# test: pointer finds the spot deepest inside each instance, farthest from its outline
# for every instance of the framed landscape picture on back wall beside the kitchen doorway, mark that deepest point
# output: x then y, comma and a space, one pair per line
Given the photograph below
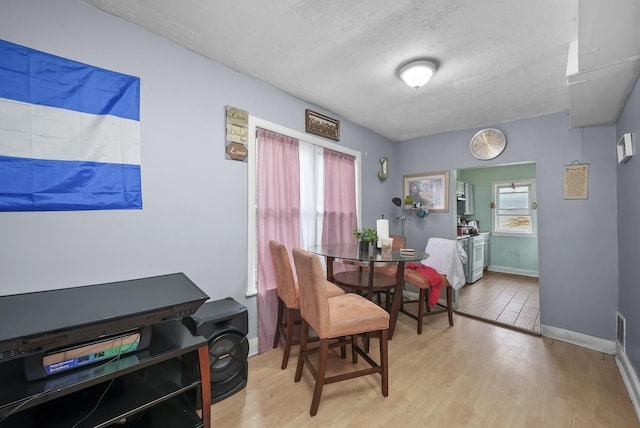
431, 189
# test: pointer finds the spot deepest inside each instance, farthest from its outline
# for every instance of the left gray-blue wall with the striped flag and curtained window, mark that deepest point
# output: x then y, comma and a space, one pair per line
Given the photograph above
195, 201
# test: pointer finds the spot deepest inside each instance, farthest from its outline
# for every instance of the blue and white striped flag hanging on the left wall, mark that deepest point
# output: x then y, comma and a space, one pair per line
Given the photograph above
69, 134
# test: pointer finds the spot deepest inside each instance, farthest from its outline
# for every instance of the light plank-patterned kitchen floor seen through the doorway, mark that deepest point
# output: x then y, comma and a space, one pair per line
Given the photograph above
511, 300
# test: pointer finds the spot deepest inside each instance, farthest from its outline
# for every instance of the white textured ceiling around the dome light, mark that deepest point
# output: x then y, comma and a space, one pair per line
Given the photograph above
498, 60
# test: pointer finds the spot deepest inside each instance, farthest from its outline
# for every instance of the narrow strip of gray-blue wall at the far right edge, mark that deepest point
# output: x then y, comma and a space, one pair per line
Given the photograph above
628, 210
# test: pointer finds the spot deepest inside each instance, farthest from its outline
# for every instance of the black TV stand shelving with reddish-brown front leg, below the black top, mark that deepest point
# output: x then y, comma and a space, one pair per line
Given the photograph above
167, 384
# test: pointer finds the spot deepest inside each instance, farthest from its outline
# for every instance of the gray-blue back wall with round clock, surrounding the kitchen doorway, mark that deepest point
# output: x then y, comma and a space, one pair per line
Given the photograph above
577, 241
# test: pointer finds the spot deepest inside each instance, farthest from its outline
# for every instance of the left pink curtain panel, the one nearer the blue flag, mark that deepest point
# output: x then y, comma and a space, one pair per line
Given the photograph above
277, 217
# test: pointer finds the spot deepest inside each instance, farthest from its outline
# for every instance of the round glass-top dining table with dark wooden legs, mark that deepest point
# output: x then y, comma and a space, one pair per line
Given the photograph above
369, 280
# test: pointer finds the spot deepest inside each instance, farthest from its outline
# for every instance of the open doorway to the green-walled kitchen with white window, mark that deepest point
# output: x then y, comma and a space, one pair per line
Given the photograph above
507, 293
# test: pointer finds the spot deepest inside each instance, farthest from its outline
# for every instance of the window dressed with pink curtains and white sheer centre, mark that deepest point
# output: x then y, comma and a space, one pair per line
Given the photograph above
322, 174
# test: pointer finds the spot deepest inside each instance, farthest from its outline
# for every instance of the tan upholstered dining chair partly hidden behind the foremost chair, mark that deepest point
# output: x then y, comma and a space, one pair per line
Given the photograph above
288, 297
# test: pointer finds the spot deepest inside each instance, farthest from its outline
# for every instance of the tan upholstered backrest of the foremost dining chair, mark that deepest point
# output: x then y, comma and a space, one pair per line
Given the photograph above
314, 303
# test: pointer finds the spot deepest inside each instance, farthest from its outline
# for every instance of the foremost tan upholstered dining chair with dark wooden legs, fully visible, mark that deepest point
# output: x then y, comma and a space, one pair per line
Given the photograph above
346, 315
